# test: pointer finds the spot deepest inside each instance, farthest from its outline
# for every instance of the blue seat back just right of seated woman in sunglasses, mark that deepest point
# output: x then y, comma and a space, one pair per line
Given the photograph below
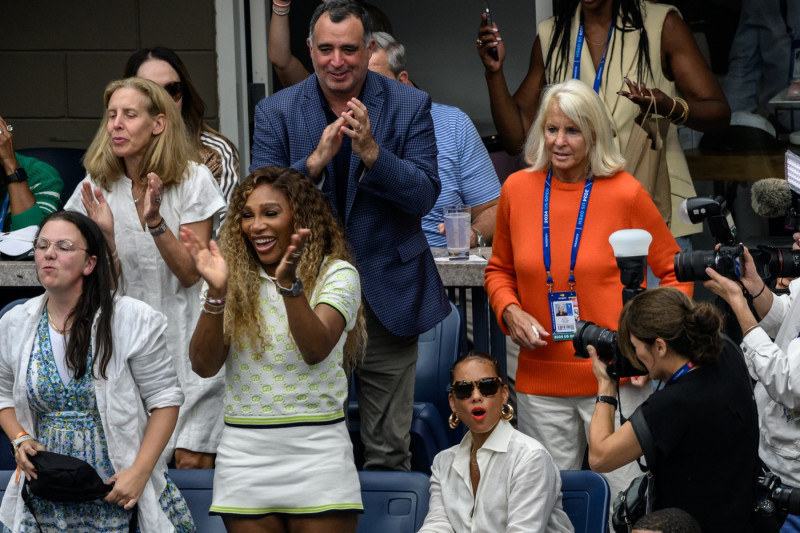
586, 498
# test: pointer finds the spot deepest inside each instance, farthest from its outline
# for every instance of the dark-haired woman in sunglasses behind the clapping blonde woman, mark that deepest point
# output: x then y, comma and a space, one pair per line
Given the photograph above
163, 66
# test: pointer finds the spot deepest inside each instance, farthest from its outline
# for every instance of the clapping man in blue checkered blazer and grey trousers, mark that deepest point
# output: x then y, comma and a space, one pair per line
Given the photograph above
369, 143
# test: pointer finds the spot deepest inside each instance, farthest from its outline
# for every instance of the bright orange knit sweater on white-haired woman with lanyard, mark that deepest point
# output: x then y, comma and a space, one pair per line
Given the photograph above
516, 274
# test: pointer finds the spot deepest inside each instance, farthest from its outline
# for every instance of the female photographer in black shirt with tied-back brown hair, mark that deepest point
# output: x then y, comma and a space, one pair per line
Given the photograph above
699, 433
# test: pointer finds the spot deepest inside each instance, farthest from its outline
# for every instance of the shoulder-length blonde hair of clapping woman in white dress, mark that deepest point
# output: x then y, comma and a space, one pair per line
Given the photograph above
168, 153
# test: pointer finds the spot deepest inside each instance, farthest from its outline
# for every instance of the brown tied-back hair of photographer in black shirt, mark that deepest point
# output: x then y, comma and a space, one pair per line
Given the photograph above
691, 329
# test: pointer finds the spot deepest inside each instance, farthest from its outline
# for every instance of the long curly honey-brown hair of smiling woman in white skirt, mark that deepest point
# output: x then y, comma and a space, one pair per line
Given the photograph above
310, 209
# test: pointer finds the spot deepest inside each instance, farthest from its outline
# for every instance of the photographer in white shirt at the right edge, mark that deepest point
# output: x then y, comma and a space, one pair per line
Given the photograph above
774, 364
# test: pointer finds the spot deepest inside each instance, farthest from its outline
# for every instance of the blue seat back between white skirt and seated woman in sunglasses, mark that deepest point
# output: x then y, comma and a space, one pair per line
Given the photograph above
394, 501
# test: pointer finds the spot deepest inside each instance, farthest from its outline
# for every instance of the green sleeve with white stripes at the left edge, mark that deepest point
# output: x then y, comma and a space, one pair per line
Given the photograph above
45, 184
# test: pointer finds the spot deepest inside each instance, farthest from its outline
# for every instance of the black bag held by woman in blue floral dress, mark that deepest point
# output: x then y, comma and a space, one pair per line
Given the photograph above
65, 479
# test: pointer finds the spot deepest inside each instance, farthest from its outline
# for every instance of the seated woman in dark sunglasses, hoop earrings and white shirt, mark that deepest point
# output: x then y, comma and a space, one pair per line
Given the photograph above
497, 479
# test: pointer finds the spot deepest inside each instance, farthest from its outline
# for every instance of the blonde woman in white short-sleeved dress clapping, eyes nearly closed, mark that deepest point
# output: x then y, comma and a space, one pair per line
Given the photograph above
144, 184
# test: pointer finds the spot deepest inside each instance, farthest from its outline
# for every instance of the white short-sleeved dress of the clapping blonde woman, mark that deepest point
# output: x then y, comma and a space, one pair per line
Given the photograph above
146, 277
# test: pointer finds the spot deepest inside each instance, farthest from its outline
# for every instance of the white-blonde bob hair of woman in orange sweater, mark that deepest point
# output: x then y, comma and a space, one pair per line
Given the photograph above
583, 107
